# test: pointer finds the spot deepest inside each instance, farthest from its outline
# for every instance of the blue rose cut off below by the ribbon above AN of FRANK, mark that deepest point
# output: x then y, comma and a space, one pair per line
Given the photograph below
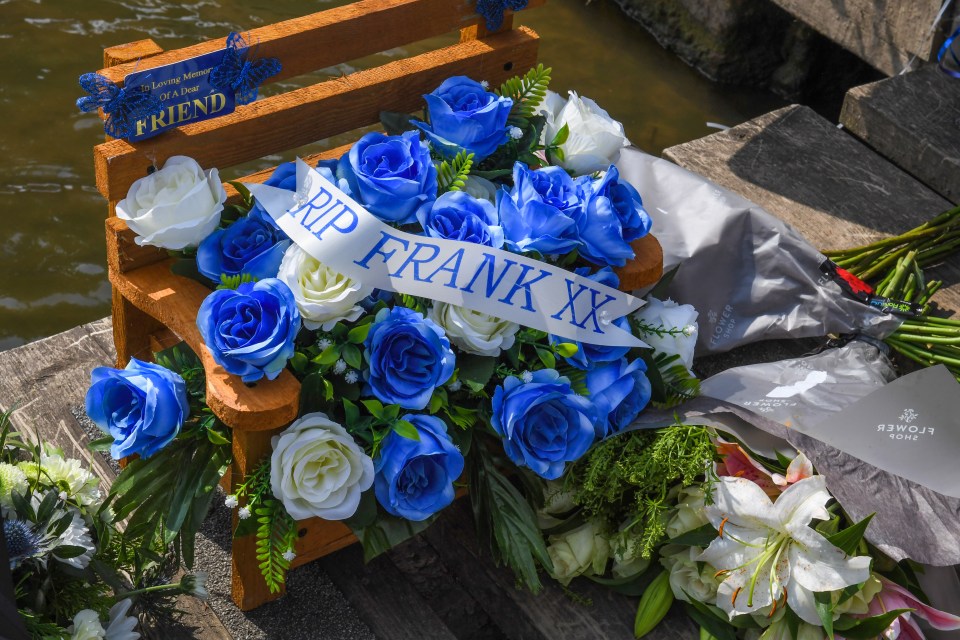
457, 215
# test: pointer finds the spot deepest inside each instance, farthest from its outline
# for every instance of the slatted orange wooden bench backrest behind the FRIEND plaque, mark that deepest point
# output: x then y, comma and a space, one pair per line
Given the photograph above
302, 116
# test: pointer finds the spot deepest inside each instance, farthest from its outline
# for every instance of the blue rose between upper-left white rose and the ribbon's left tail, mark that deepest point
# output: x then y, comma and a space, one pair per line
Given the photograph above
253, 245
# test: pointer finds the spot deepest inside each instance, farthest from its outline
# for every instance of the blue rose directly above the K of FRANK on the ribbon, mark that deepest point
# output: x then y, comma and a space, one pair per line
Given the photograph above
540, 212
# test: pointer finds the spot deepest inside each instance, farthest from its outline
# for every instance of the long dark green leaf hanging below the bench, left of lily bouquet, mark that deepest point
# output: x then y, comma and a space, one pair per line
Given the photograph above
506, 521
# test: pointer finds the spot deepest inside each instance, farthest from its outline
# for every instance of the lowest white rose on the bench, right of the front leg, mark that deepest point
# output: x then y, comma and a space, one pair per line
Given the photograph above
317, 469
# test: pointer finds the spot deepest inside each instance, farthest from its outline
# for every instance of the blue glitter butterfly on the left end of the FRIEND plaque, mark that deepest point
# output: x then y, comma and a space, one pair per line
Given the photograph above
123, 106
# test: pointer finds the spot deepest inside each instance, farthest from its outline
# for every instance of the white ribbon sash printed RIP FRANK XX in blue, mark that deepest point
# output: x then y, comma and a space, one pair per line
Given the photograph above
336, 230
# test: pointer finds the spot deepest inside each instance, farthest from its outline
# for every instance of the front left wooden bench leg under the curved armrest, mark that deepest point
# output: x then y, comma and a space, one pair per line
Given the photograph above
249, 588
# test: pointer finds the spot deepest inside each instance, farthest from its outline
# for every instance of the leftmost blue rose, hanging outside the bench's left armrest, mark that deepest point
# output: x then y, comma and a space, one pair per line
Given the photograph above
142, 406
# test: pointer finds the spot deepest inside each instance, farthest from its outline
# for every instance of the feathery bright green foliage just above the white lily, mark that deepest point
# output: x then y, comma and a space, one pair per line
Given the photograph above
629, 477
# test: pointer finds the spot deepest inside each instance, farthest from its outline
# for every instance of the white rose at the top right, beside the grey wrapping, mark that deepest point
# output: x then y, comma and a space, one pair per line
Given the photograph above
595, 139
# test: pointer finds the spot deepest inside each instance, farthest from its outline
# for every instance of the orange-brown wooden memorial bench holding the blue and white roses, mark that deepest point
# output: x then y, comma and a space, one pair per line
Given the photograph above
152, 307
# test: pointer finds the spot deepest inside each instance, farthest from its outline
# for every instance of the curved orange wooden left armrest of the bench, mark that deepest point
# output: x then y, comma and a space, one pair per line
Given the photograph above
174, 301
